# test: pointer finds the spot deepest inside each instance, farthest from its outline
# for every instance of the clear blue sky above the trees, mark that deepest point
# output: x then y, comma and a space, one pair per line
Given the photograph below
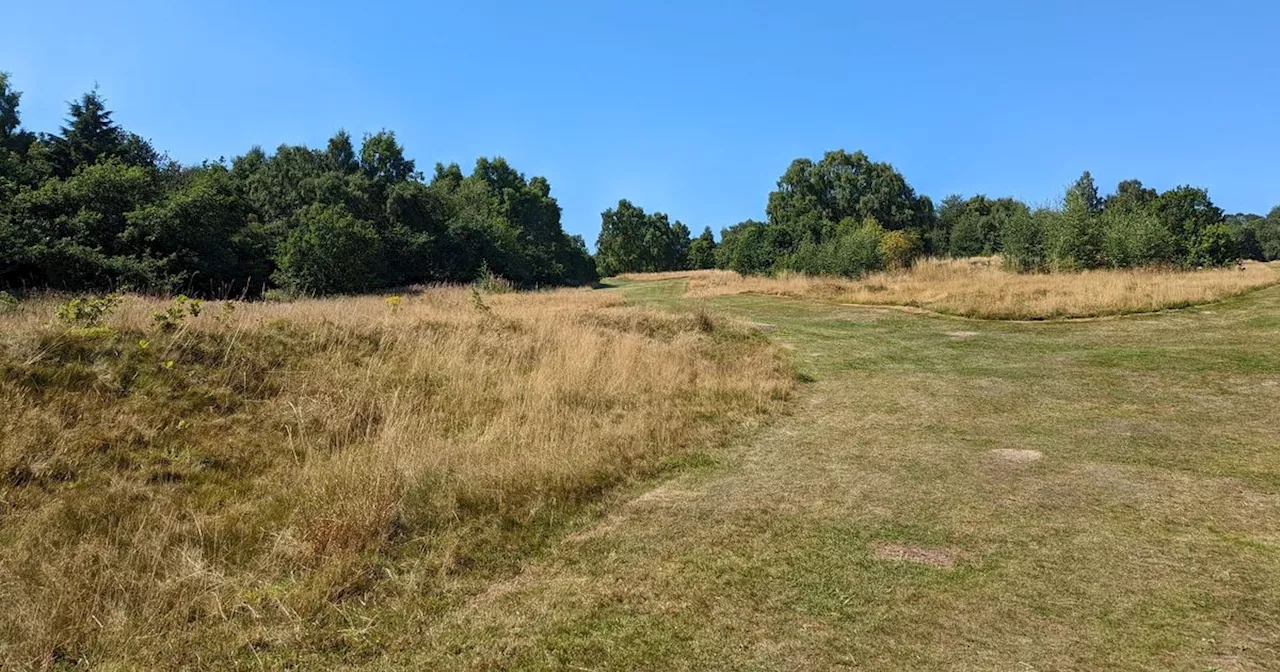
694, 108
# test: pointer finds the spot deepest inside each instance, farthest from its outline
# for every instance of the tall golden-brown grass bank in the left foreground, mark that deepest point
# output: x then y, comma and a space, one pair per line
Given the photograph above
252, 479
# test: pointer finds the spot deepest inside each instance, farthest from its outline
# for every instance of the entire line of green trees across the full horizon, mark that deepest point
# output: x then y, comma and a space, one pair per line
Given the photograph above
97, 208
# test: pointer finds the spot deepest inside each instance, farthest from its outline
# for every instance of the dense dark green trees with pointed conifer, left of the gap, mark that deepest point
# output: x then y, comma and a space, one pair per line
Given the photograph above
97, 208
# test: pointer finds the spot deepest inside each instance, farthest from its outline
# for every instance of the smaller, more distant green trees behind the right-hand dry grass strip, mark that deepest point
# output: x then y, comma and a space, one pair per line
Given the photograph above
848, 216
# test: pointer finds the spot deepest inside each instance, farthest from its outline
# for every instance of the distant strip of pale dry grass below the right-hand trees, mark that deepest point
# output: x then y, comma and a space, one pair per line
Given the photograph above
980, 289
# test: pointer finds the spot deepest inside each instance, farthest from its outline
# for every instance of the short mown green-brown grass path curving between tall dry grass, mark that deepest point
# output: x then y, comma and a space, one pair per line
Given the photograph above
945, 495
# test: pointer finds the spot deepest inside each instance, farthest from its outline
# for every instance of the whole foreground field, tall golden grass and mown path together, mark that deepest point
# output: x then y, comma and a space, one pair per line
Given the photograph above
941, 493
